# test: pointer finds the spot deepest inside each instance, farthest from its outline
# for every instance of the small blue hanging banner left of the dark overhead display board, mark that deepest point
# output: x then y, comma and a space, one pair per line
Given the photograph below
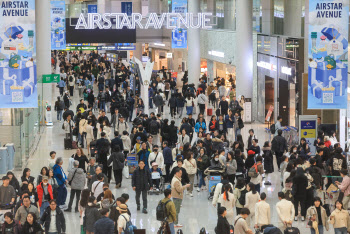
58, 25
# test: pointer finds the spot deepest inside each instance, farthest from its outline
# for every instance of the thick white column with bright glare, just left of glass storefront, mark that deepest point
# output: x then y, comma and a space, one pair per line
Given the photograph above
244, 48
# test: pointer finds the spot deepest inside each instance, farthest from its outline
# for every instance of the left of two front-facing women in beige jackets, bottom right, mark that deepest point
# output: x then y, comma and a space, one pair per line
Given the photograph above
313, 214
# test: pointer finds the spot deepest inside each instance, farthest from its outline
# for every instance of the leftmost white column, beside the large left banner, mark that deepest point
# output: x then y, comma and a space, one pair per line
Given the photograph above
43, 48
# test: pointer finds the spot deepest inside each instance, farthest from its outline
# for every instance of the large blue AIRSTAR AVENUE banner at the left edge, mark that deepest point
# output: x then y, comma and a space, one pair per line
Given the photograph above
18, 55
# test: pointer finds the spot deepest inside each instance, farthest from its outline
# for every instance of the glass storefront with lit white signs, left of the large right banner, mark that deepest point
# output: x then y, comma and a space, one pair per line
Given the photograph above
279, 70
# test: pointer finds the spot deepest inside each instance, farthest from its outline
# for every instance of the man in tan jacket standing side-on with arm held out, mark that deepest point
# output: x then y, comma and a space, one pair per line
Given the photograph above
177, 193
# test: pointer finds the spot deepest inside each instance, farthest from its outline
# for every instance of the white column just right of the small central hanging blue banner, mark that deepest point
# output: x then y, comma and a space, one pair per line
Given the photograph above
194, 47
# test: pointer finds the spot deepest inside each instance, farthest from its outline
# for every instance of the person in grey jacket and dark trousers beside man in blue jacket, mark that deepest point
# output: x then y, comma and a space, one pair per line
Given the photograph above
76, 179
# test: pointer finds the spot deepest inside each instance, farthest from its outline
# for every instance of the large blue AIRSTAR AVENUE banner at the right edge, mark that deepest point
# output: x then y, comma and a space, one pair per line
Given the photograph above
328, 54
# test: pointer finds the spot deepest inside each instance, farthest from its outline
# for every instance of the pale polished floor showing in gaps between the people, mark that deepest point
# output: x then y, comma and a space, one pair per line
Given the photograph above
196, 212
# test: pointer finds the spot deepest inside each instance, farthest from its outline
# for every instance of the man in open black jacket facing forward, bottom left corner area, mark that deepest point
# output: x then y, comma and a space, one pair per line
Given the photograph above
60, 220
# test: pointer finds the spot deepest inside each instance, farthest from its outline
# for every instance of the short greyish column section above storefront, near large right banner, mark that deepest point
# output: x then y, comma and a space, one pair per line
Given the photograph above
292, 18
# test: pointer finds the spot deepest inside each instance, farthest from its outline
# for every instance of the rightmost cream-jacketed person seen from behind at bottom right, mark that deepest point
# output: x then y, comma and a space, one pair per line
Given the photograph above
285, 211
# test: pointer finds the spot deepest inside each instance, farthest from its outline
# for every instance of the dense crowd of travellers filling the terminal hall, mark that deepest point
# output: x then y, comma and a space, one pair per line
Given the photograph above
173, 159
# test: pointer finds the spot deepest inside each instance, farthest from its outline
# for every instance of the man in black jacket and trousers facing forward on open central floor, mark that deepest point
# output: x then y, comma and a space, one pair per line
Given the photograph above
141, 183
